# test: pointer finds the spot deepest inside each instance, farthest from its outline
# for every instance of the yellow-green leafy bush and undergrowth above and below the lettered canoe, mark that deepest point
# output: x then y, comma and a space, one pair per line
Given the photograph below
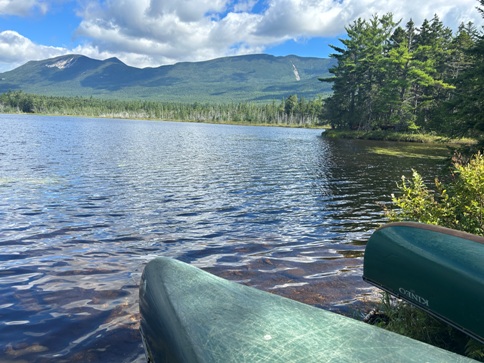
457, 204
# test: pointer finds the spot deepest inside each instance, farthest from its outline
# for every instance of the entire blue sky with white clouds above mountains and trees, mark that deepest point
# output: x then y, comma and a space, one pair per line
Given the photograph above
149, 33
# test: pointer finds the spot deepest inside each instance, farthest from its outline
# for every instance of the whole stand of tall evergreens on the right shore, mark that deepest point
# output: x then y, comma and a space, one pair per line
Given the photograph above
404, 78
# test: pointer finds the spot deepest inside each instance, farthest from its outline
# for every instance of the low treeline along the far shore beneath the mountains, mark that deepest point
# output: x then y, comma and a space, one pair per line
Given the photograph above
291, 111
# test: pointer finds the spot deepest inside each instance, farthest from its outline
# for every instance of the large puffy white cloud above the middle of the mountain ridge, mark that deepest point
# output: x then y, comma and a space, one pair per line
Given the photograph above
169, 31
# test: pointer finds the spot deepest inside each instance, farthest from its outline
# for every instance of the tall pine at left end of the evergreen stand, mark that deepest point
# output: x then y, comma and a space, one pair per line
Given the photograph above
359, 101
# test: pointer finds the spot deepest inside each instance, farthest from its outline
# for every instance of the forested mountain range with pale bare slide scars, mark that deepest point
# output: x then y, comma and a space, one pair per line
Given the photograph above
257, 78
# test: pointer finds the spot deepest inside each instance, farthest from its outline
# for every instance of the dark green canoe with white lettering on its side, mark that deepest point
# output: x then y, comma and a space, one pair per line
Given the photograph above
437, 269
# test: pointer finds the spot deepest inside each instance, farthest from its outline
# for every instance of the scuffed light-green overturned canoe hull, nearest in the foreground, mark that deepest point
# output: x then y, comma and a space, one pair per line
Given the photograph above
188, 315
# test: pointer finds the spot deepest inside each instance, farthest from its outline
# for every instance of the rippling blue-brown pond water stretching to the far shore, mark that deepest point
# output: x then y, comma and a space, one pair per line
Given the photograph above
86, 203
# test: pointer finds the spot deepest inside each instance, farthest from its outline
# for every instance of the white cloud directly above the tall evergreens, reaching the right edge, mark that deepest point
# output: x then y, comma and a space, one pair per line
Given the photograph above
303, 18
